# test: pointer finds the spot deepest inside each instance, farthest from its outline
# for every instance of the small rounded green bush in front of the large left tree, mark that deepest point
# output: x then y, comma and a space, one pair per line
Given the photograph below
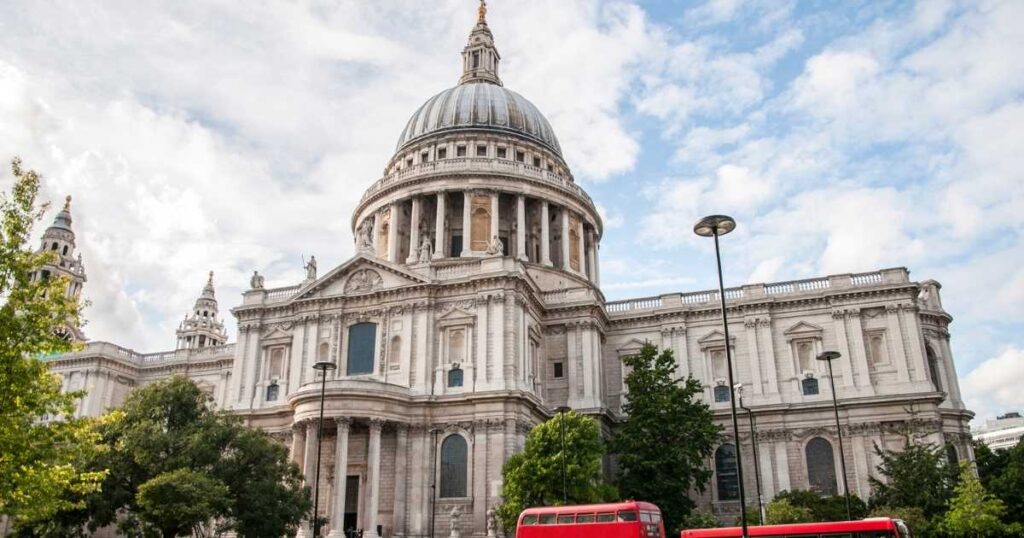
182, 502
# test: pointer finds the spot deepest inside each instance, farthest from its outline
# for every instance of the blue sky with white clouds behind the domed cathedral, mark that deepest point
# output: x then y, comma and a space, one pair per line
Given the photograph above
843, 137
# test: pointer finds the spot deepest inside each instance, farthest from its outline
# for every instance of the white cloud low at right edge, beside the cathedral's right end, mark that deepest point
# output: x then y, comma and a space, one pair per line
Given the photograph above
995, 386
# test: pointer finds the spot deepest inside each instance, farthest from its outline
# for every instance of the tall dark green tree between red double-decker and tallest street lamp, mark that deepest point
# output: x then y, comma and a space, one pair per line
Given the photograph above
669, 435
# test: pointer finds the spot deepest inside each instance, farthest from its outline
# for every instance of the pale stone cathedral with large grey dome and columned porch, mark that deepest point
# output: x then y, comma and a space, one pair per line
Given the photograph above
473, 310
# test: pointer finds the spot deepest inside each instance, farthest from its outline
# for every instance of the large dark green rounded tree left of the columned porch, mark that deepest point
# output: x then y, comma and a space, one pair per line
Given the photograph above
166, 440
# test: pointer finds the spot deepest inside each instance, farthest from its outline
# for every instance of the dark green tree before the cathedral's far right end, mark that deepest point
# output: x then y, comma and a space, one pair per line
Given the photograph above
915, 477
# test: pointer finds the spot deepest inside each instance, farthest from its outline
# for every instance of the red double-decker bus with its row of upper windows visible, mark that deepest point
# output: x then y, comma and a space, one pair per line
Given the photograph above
617, 520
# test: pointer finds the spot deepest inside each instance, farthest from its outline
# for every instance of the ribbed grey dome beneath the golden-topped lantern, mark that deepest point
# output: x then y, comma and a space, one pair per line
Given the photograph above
481, 106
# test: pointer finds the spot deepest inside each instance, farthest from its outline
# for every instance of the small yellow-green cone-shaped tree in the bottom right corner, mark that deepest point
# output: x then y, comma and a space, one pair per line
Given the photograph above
973, 512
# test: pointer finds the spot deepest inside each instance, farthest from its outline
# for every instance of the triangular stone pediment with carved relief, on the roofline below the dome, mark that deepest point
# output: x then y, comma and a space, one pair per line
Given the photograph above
360, 276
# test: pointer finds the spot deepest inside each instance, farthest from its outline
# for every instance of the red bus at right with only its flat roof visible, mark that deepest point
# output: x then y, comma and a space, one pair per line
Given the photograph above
871, 528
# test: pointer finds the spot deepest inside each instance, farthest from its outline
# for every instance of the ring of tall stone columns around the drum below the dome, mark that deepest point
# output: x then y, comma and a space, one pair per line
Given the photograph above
537, 231
